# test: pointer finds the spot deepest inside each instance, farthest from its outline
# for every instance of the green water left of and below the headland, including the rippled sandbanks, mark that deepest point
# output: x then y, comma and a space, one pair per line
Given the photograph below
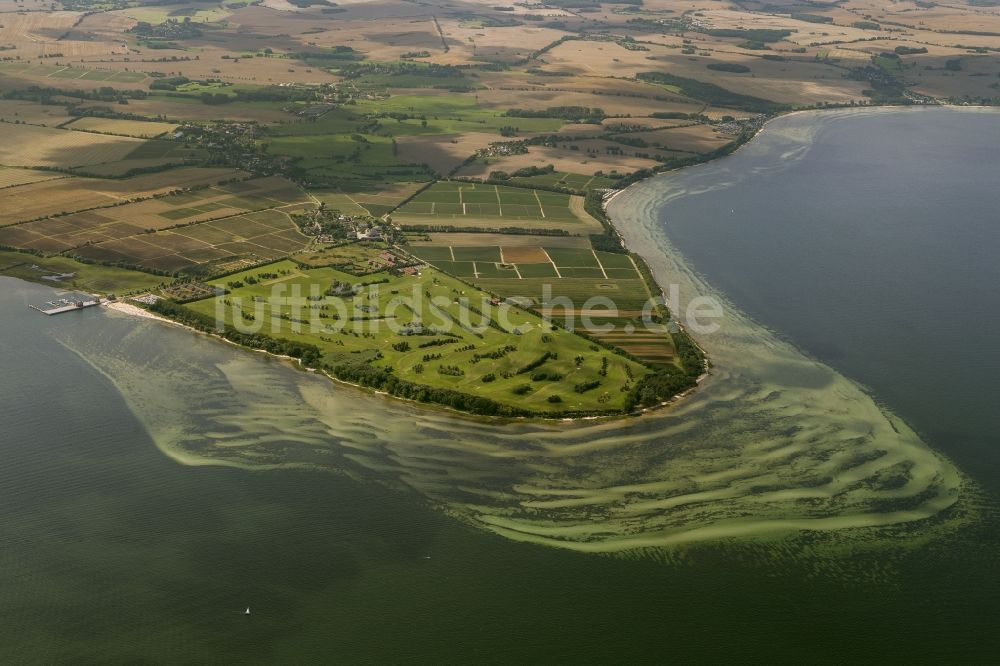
155, 483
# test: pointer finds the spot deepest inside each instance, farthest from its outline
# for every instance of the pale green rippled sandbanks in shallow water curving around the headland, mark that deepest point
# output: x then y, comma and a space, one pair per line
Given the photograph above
776, 444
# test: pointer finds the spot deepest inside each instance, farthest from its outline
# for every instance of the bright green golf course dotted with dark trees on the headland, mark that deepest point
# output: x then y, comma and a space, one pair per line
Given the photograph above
423, 327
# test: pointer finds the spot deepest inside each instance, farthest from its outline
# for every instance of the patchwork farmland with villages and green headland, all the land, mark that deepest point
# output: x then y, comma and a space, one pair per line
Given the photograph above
351, 171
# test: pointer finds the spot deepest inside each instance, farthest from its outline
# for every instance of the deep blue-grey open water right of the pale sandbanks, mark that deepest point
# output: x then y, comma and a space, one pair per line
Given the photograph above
875, 250
